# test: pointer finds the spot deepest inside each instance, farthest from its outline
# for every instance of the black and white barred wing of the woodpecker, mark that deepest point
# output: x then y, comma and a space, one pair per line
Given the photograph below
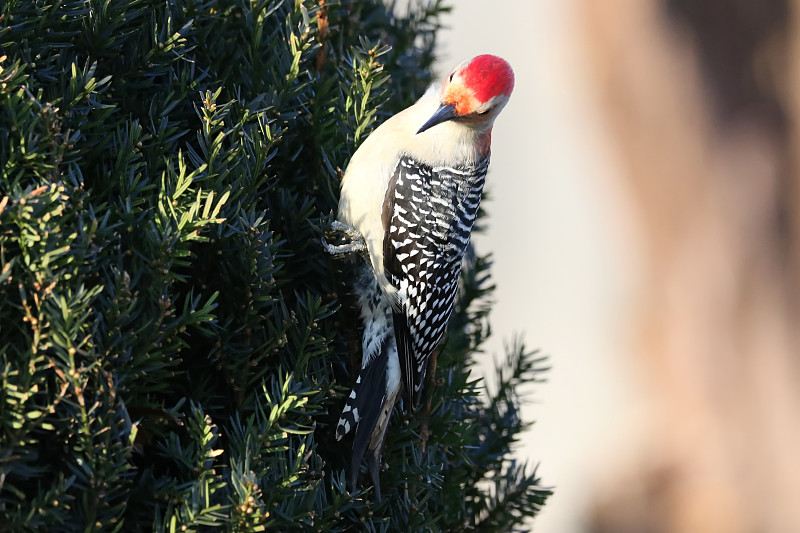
429, 213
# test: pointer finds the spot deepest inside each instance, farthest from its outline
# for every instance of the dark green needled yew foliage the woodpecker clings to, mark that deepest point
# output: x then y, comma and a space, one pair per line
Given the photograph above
175, 345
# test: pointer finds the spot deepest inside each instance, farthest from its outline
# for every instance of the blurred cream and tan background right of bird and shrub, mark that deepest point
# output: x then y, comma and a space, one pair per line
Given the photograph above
645, 230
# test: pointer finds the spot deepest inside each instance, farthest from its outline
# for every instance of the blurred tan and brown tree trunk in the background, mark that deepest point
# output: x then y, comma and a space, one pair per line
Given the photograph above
702, 98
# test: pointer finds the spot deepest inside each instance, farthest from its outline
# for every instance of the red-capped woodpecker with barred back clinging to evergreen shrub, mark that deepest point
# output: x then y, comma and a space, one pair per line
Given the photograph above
409, 199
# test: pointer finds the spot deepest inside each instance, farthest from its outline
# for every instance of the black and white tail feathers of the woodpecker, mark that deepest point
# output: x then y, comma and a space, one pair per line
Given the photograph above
370, 404
